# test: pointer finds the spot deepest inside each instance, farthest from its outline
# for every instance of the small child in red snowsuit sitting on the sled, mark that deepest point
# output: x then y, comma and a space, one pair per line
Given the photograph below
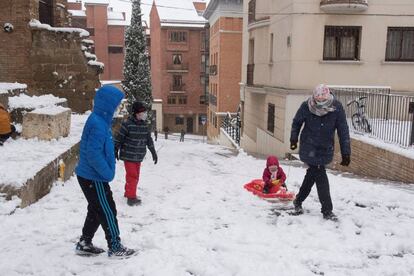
273, 176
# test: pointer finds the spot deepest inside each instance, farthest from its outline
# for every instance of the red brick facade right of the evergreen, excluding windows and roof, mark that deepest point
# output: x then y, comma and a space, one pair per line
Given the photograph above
161, 54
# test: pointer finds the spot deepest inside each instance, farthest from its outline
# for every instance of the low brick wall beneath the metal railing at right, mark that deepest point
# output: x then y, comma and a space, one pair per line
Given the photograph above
372, 161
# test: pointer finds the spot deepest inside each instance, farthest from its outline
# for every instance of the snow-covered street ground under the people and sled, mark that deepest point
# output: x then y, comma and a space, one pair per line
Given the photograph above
196, 219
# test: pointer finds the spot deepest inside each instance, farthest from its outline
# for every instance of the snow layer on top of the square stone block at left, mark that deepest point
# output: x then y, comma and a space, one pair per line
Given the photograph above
25, 101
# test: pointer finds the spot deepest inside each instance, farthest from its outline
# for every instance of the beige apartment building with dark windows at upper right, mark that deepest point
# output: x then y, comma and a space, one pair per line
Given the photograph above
289, 46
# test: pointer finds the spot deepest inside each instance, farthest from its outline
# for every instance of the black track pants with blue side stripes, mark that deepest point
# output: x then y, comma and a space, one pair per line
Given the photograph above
101, 211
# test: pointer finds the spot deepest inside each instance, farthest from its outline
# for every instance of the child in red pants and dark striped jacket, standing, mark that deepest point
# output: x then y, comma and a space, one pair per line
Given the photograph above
131, 146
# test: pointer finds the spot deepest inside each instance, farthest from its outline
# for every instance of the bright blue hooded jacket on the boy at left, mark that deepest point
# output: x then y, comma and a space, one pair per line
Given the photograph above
97, 157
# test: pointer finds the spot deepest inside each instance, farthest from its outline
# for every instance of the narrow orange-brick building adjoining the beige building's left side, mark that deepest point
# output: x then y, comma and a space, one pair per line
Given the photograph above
226, 26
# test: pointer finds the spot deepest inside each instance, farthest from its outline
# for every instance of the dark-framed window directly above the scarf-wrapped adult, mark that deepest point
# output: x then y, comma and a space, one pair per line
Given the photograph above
341, 43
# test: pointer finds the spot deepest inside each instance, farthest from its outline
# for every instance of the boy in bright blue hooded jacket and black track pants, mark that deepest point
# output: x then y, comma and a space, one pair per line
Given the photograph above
96, 168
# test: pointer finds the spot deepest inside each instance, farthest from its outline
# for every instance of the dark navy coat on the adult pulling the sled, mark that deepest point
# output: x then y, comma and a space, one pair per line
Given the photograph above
317, 137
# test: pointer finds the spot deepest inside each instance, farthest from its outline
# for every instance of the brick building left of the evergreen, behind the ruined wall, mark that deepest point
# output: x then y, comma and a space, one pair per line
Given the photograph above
106, 28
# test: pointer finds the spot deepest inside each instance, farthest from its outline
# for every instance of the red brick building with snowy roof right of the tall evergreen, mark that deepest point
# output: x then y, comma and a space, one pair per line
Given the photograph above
179, 59
